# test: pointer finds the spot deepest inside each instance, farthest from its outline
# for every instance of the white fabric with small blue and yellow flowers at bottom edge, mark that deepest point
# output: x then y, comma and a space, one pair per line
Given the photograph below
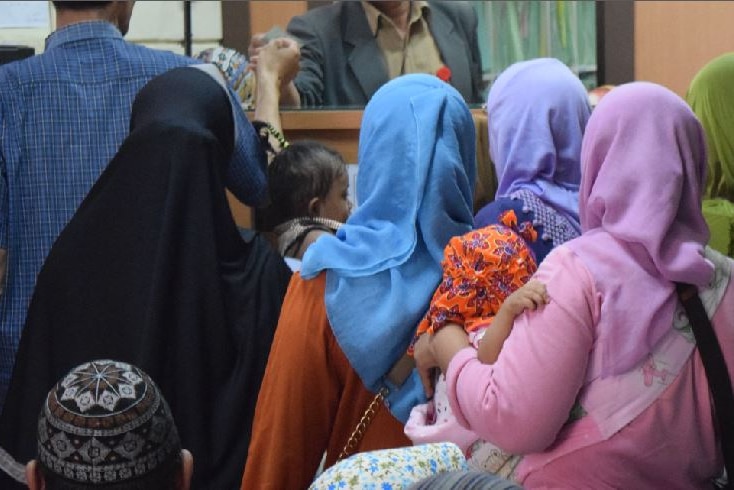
389, 469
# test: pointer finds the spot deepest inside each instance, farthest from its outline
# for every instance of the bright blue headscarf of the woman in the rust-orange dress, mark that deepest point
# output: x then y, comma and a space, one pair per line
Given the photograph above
414, 189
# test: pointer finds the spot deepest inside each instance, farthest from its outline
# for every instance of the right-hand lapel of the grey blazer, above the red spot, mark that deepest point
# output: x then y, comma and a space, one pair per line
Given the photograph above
454, 51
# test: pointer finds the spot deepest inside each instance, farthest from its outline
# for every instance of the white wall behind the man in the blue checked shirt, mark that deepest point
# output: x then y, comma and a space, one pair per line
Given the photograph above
157, 24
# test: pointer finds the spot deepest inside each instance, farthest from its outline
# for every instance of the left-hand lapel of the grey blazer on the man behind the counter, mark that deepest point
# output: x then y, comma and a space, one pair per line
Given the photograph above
364, 58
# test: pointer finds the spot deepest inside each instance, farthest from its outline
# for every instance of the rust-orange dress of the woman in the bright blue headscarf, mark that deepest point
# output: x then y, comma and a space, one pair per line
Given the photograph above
311, 399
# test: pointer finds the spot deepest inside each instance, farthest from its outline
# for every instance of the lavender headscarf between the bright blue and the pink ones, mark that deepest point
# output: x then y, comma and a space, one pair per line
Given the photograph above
537, 114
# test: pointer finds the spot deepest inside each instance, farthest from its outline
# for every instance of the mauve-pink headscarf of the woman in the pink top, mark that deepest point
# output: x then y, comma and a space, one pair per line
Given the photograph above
643, 162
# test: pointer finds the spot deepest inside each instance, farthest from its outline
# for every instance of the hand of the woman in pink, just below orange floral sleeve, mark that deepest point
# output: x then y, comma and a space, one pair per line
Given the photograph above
436, 351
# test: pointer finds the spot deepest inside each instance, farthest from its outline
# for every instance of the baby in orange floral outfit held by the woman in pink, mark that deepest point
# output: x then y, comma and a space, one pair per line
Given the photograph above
486, 284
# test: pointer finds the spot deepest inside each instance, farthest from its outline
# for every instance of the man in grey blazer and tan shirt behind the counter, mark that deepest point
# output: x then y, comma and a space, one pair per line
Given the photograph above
350, 49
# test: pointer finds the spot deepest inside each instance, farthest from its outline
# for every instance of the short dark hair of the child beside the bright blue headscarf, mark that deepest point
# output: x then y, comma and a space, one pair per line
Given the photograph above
302, 171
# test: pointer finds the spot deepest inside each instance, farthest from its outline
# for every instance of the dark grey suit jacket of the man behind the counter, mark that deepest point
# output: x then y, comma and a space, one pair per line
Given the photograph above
342, 65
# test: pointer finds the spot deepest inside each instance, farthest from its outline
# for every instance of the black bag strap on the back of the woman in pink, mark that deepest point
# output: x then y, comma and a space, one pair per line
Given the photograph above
716, 371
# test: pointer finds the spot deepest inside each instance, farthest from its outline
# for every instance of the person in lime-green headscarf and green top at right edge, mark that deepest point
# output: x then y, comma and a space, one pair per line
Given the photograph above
711, 96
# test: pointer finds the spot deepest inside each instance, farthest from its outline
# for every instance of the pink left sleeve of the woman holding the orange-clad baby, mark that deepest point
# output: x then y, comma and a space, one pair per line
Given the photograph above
520, 402
